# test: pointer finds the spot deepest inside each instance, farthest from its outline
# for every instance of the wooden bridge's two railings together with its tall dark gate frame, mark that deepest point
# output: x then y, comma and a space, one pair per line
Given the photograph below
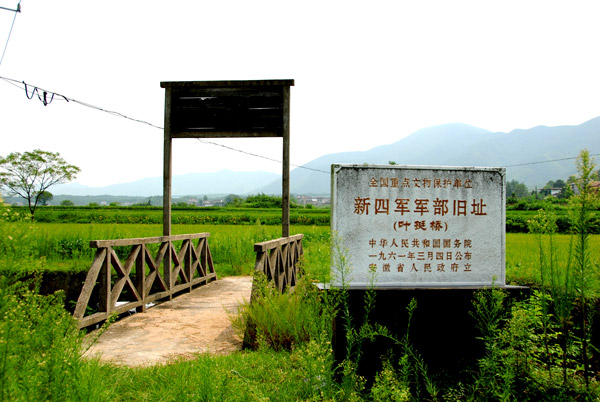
158, 268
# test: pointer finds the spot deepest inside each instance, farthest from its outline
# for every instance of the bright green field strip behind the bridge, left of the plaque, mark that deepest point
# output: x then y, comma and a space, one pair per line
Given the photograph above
26, 246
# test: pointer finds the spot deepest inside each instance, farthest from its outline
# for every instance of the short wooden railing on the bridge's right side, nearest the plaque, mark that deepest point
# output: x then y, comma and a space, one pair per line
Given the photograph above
278, 259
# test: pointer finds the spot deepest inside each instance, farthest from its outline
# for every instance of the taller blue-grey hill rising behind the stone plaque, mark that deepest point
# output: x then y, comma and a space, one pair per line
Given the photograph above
464, 145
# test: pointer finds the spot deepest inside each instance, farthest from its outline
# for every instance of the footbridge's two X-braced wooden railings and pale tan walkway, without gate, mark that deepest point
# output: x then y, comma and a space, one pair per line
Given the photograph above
135, 274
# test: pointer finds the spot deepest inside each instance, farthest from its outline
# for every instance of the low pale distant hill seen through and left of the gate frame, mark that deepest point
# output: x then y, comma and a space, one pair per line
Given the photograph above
222, 182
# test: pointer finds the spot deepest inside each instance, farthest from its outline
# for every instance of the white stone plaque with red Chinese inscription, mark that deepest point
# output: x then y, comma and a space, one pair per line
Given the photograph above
420, 226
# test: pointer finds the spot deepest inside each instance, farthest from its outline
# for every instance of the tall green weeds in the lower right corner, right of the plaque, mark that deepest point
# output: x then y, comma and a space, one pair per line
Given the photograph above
540, 349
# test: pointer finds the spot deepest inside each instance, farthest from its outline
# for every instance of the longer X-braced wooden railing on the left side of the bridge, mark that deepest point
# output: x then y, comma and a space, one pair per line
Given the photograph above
181, 270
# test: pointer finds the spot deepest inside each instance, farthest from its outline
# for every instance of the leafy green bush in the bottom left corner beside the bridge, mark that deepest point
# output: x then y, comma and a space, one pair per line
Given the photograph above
40, 345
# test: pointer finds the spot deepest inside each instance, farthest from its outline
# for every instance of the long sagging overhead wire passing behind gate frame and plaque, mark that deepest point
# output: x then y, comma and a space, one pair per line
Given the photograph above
44, 99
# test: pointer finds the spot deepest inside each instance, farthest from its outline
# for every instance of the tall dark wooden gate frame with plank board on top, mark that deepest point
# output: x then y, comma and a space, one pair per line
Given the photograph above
227, 109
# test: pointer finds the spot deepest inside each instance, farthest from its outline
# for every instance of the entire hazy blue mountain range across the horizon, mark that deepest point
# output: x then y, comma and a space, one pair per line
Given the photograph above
532, 156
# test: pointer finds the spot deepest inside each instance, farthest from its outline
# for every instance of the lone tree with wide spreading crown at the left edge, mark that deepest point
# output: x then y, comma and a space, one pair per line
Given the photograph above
30, 174
